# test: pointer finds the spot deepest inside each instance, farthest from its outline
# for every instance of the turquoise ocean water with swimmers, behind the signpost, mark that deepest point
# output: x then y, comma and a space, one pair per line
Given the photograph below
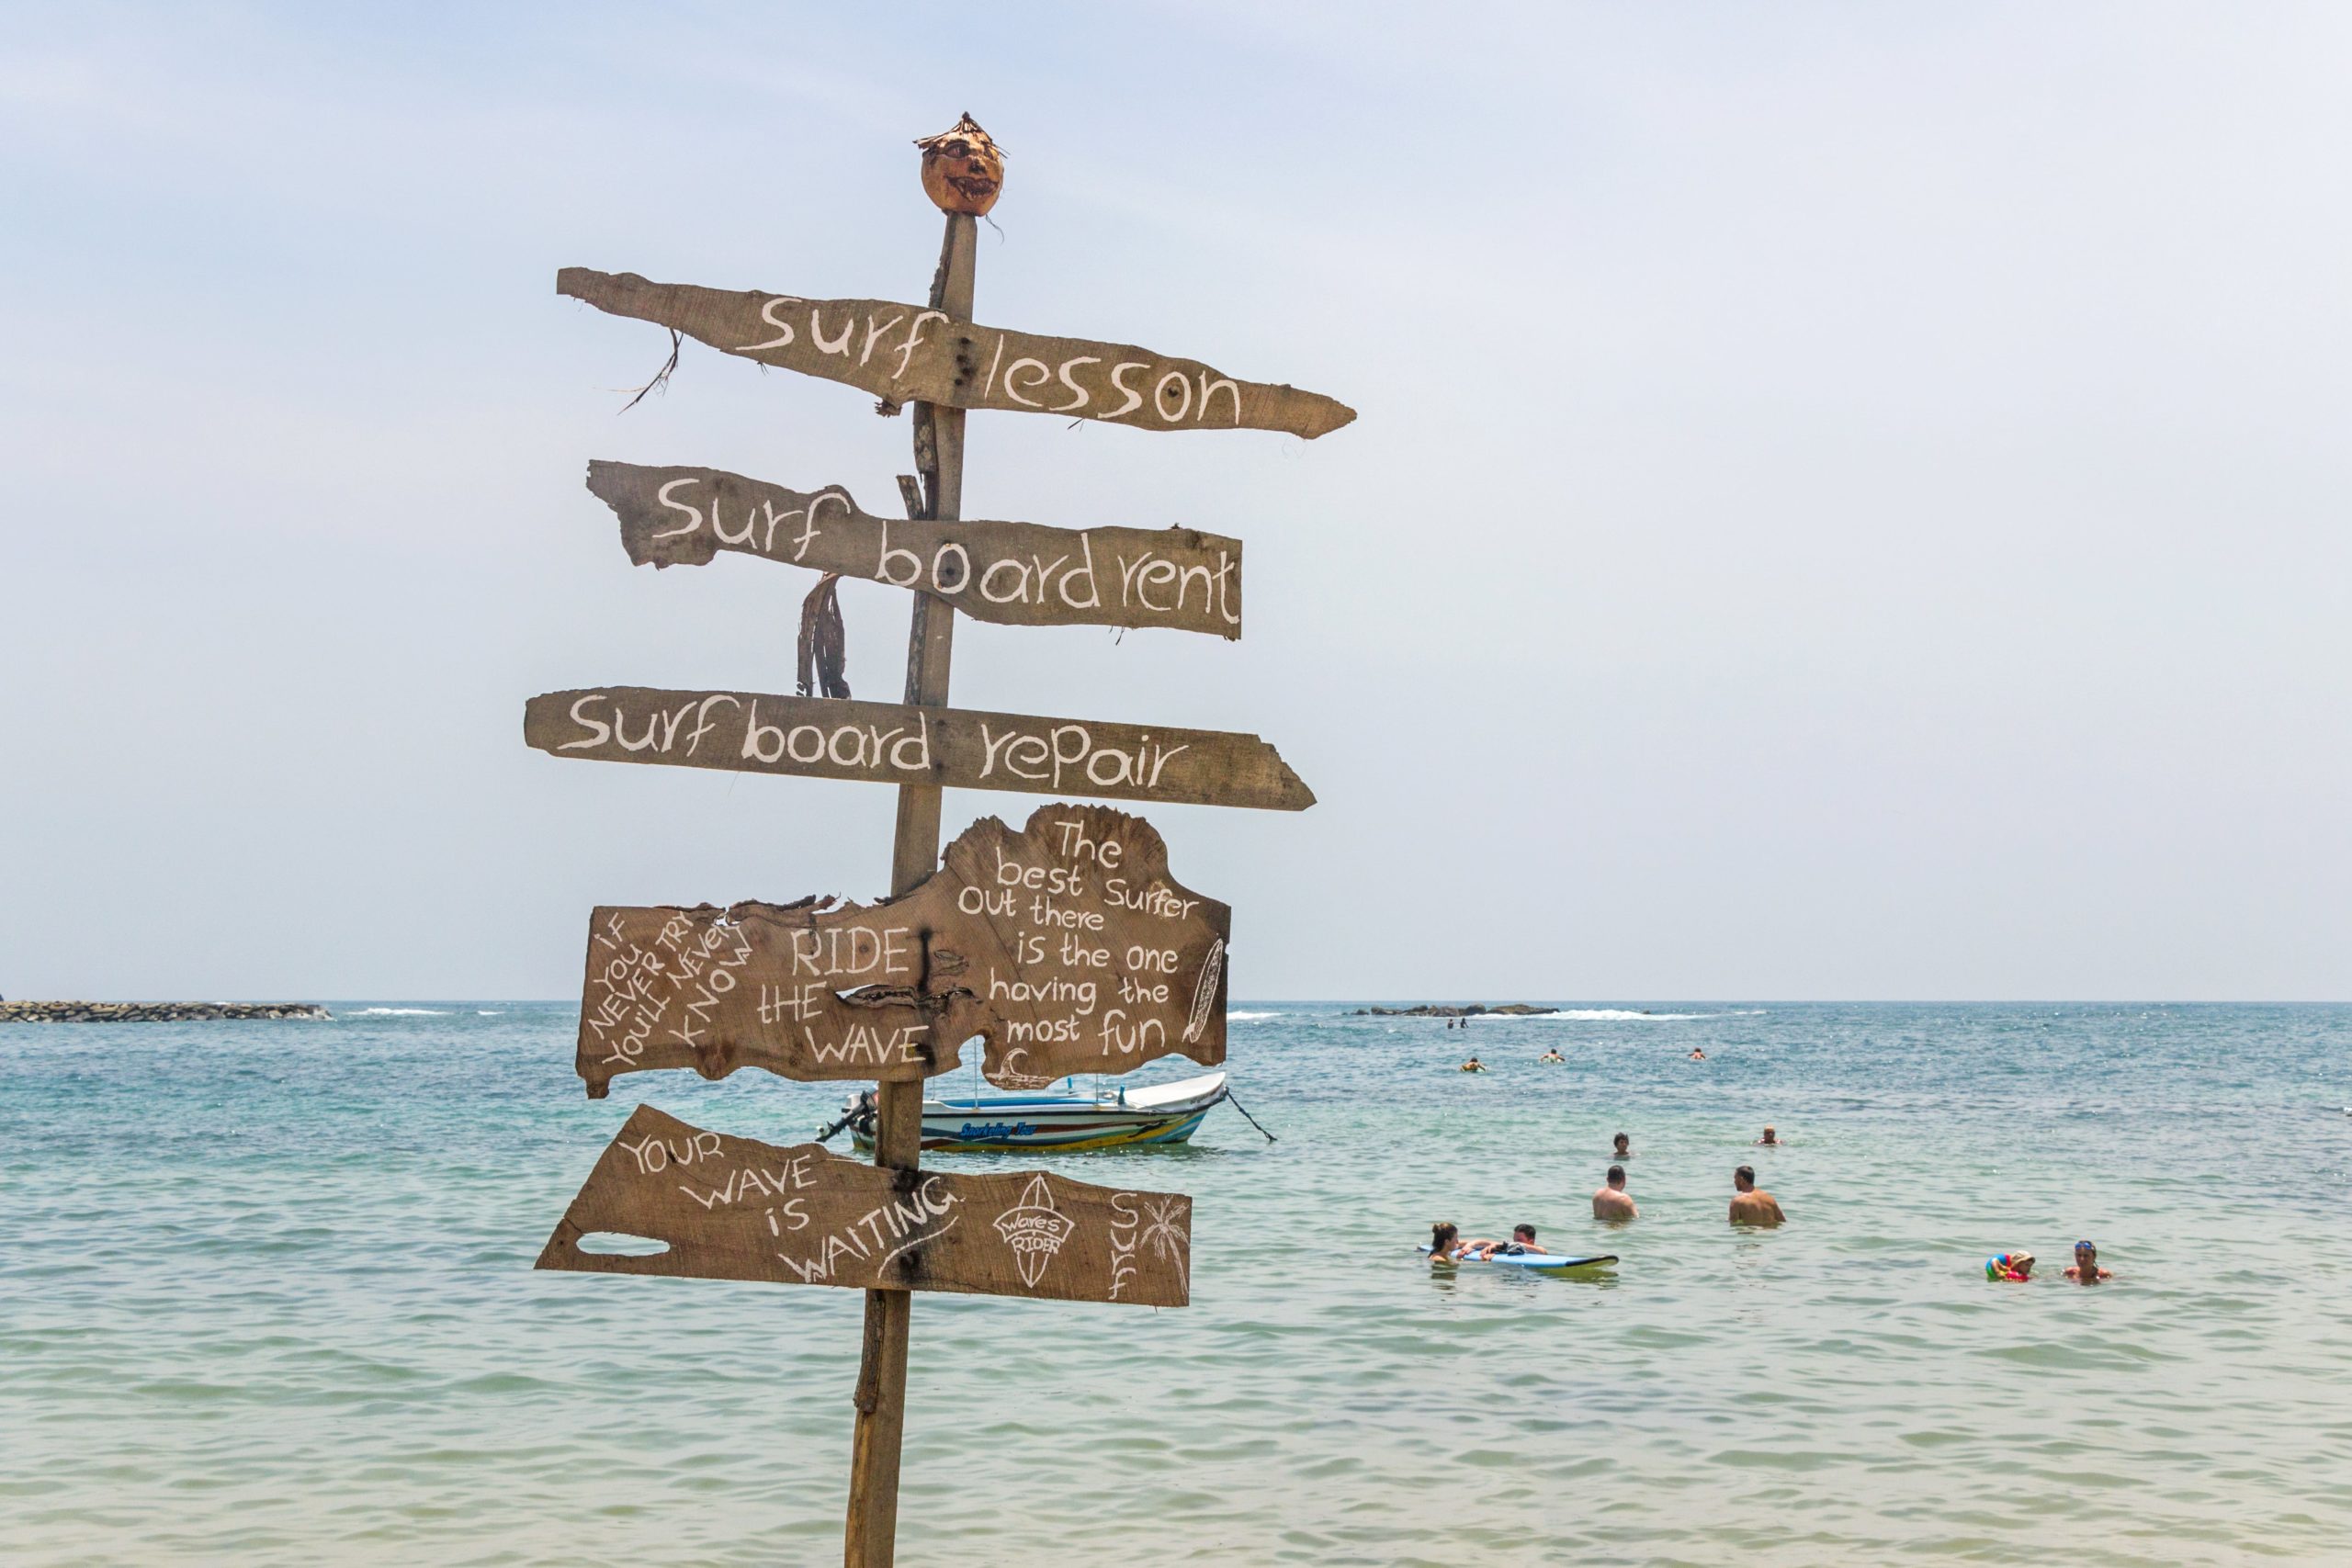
267, 1299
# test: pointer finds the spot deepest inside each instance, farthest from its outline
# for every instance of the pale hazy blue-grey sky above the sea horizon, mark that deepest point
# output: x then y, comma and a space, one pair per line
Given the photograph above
1847, 500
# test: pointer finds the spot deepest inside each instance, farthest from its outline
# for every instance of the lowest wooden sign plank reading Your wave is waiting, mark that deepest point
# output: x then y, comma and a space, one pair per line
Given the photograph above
744, 1209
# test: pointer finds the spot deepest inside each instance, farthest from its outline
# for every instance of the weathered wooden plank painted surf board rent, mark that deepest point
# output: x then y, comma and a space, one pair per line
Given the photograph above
1005, 572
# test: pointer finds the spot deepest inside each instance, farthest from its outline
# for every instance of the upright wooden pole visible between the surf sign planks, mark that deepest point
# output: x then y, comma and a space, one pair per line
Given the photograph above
871, 1539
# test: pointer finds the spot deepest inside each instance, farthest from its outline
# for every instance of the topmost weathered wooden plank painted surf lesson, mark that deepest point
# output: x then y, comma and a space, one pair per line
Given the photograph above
907, 354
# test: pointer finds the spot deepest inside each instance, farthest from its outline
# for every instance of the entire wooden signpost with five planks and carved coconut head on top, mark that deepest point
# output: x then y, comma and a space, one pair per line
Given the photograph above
1062, 946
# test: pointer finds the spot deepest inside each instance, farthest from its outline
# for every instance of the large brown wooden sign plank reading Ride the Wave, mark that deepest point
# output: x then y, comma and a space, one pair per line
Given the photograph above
1064, 946
